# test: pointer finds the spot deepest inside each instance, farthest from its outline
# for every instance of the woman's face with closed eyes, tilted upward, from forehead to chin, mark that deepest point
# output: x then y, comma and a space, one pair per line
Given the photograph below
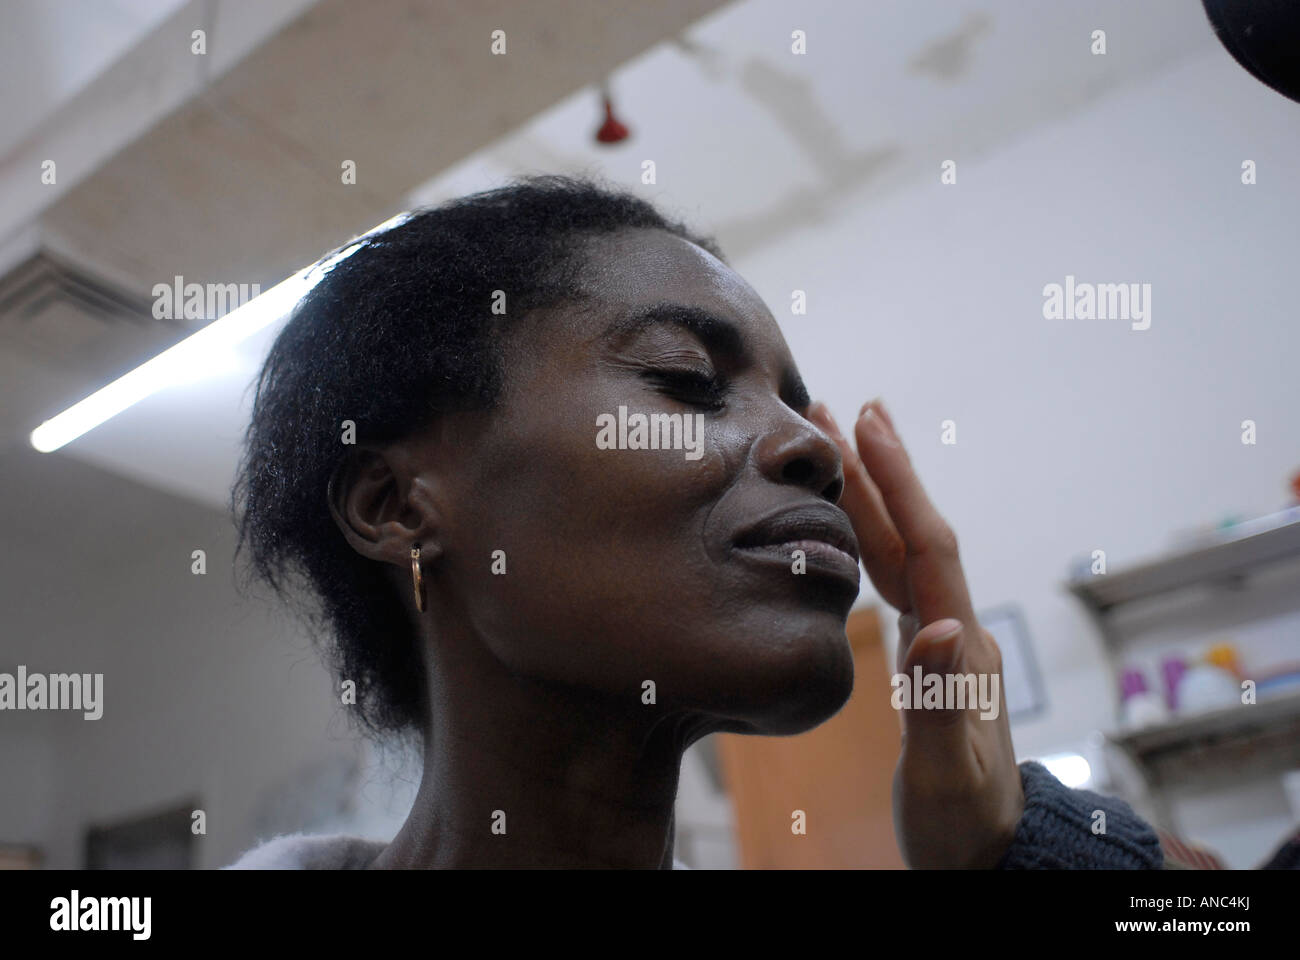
670, 565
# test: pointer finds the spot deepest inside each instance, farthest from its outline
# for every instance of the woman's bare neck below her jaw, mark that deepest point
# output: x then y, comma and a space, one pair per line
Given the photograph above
522, 773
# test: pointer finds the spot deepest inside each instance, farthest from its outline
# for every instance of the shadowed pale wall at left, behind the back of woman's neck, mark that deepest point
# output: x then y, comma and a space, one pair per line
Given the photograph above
207, 694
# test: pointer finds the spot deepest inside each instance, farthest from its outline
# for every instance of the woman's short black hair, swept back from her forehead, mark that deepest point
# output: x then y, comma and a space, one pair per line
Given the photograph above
397, 332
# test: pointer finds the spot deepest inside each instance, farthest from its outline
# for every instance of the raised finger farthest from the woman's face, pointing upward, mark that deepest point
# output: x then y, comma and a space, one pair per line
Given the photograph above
934, 573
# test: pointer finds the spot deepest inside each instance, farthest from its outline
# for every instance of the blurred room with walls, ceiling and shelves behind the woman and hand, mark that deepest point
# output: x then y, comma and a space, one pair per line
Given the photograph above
1125, 499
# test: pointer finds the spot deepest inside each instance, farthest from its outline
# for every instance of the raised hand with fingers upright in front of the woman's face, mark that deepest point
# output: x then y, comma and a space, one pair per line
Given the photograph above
957, 790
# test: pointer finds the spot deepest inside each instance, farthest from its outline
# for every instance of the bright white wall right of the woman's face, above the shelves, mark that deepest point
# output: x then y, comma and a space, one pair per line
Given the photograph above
1073, 435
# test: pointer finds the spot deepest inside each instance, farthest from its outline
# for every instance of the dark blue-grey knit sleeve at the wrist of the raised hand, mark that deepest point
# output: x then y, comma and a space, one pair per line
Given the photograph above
1056, 832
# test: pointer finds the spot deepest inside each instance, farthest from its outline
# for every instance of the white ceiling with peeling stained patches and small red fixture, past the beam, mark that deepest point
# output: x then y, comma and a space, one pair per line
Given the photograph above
751, 142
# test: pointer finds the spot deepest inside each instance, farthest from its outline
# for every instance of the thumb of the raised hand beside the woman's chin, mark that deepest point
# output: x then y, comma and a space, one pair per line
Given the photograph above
930, 723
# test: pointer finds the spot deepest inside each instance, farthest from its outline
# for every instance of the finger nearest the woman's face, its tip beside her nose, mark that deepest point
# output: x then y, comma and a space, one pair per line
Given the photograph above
878, 542
